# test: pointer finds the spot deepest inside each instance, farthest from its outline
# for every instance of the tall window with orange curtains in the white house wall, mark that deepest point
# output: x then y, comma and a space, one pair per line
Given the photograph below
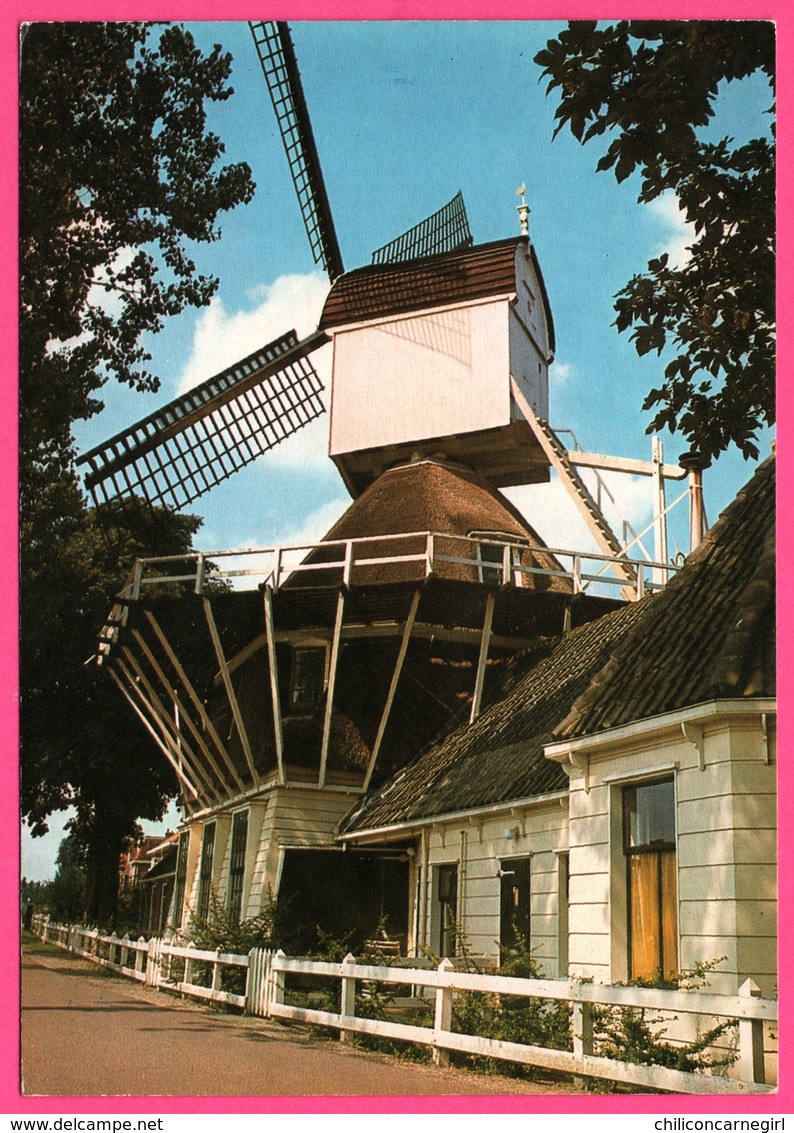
650, 846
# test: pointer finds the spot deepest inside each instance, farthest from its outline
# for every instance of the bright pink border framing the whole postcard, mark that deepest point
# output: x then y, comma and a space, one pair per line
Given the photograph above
15, 13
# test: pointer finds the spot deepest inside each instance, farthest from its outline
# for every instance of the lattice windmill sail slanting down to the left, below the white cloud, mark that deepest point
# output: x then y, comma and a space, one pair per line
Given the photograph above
199, 440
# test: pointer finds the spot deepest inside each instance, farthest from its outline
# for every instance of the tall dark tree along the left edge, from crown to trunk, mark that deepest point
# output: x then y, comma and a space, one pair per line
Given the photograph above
118, 175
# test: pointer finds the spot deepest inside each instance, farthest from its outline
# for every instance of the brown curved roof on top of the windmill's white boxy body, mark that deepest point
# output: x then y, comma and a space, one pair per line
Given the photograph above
381, 291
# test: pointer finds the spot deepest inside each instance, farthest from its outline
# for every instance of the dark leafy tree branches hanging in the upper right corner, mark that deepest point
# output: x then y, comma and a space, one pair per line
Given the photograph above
651, 89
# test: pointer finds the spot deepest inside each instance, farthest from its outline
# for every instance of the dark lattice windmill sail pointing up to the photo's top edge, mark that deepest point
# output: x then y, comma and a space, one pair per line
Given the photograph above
277, 55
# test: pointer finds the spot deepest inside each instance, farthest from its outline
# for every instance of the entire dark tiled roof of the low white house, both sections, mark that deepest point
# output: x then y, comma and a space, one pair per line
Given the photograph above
705, 636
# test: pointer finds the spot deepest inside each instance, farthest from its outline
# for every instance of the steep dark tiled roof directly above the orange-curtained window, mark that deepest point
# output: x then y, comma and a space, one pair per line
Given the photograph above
707, 635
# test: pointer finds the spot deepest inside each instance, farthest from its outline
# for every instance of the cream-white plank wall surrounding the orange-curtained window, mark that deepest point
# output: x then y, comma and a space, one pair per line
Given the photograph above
727, 858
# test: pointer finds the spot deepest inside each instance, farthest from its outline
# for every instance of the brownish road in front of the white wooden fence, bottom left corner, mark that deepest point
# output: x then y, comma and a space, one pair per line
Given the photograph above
86, 1033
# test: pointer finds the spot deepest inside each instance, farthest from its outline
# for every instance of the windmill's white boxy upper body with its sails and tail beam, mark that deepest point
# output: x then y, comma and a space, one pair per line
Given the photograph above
201, 439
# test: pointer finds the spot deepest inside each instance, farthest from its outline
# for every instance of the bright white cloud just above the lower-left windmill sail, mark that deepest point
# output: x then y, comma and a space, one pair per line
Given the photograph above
223, 338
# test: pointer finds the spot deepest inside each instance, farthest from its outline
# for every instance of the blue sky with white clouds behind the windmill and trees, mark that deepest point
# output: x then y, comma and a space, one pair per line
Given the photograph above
405, 115
